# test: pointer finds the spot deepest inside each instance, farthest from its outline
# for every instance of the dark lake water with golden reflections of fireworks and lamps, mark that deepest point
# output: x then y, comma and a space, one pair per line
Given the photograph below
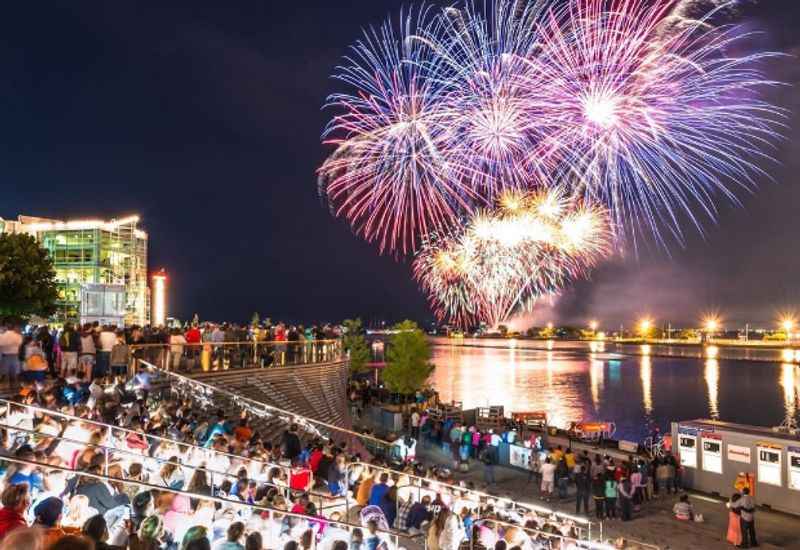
633, 392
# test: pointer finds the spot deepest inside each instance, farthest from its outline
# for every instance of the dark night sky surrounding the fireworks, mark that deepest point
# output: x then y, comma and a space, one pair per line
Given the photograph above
204, 117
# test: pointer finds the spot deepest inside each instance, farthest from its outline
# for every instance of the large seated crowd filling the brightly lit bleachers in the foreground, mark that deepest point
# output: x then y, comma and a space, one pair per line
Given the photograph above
77, 454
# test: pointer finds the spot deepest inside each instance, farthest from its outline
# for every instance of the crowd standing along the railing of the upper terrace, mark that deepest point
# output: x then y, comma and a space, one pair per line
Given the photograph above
95, 351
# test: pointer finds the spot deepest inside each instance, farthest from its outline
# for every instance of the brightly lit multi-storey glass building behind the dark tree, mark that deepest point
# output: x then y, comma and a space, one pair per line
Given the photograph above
93, 252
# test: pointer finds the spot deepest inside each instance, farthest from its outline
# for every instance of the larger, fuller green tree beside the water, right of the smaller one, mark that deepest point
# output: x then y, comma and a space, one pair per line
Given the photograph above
408, 365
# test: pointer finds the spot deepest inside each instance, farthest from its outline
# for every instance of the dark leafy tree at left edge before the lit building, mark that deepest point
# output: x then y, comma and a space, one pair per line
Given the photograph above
27, 278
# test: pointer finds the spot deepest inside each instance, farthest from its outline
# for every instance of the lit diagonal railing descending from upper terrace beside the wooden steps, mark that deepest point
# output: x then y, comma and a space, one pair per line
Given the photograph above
211, 393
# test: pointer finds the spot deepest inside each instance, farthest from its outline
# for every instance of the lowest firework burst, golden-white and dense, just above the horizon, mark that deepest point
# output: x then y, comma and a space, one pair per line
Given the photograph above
531, 244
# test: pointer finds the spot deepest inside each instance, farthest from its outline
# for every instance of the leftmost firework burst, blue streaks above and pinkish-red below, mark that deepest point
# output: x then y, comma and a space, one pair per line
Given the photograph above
389, 175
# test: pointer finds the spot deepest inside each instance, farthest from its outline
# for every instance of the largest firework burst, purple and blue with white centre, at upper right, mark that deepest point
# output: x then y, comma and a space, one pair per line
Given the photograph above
655, 120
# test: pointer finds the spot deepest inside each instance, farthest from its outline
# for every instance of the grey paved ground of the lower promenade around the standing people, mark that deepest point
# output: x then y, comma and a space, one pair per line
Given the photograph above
654, 524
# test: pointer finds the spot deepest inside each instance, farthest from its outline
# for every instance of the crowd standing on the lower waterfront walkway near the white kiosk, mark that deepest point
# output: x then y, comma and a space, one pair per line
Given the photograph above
601, 486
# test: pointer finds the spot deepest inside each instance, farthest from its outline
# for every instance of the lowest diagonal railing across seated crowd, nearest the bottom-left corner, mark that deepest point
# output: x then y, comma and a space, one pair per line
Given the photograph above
392, 538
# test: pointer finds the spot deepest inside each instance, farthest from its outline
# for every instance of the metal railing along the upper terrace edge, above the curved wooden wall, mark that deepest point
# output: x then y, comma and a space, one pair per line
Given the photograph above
216, 356
